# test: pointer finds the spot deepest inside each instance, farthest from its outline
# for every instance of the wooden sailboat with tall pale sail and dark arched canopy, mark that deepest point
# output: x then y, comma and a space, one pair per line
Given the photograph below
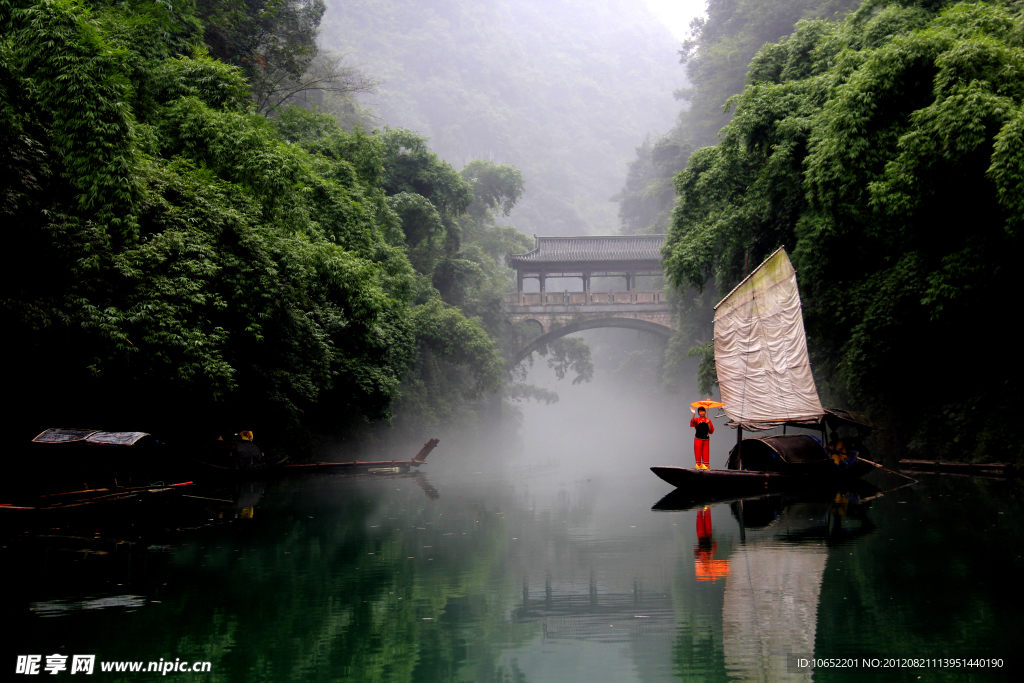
764, 375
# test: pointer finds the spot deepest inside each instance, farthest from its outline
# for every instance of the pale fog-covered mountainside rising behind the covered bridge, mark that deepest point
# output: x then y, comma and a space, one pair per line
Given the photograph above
563, 90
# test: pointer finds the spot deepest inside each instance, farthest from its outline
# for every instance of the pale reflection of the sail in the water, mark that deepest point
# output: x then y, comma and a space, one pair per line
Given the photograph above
772, 611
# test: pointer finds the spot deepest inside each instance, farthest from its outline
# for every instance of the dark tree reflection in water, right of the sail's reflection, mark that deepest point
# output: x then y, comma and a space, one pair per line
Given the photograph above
941, 575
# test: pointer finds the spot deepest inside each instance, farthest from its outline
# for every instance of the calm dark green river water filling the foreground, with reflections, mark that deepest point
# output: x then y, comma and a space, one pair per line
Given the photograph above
515, 570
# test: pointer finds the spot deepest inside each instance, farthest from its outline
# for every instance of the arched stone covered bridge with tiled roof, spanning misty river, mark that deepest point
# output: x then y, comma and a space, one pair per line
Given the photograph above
561, 314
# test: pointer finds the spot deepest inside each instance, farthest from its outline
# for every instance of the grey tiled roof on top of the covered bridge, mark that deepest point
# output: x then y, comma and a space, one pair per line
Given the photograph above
594, 248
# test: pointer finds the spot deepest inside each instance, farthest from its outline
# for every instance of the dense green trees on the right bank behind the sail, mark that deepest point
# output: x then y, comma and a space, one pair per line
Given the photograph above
884, 152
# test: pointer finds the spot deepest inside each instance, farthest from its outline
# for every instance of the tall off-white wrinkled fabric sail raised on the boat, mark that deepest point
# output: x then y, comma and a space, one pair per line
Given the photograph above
761, 357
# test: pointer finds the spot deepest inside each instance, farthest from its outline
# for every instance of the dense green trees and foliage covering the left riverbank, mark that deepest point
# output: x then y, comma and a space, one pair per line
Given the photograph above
192, 251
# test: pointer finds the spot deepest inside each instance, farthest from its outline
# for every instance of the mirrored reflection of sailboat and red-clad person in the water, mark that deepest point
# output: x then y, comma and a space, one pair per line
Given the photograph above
774, 577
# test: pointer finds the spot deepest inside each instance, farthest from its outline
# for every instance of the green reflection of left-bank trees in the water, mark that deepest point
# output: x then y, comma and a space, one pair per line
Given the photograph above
310, 590
